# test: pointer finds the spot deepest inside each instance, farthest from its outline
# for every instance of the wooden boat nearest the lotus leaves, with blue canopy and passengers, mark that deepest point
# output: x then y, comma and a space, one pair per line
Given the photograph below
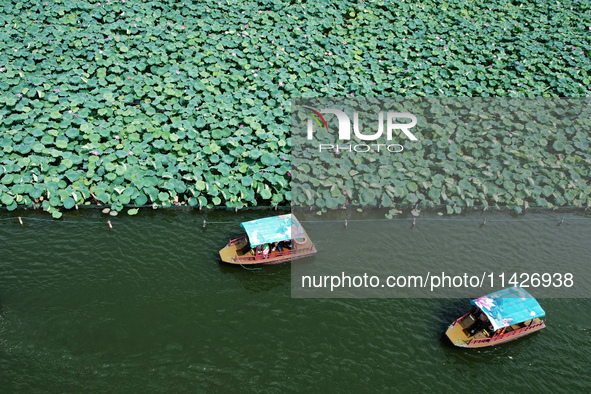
272, 240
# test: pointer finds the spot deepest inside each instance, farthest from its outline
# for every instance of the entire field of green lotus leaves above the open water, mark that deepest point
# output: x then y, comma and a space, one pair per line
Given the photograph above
174, 99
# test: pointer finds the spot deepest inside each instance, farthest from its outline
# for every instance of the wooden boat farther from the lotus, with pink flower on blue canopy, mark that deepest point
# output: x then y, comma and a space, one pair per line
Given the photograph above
497, 318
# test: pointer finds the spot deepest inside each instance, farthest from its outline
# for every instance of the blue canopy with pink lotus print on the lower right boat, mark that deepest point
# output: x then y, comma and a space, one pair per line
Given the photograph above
509, 306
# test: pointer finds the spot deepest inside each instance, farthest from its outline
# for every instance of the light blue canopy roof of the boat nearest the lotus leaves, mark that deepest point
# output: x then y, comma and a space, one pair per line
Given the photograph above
273, 229
